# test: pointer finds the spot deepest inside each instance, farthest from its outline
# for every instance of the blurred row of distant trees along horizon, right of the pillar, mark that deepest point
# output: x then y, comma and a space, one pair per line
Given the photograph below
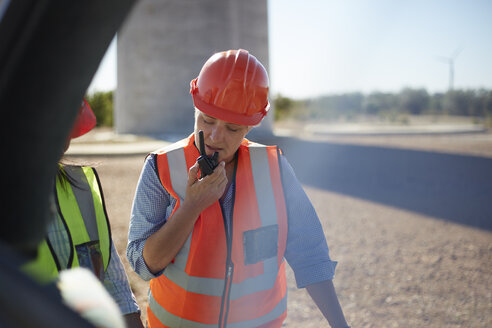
392, 106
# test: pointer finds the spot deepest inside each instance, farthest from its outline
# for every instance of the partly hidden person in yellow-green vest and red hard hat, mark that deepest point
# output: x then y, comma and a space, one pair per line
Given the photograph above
80, 235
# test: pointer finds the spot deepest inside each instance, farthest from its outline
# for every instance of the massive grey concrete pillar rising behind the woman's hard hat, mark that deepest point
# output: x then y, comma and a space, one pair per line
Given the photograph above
162, 47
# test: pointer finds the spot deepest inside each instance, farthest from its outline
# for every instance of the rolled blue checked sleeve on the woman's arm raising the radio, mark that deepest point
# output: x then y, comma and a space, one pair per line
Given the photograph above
152, 205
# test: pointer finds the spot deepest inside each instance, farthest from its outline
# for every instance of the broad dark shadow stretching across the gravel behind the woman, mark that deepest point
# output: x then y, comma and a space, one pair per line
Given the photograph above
453, 187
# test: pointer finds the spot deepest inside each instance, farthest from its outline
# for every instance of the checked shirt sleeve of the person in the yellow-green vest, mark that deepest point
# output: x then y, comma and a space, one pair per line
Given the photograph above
117, 285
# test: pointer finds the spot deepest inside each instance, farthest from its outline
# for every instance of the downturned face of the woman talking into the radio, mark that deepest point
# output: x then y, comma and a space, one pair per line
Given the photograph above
219, 136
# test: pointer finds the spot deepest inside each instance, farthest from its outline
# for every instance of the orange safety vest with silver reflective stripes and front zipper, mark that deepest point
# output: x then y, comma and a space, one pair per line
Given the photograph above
219, 280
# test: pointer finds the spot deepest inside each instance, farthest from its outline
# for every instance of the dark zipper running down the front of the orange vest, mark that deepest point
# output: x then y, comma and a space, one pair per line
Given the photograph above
226, 295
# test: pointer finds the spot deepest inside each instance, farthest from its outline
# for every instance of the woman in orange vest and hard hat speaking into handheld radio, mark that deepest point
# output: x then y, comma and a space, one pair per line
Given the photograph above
215, 216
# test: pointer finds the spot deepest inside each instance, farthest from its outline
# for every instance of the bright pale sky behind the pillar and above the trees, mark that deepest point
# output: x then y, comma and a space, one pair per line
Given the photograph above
320, 47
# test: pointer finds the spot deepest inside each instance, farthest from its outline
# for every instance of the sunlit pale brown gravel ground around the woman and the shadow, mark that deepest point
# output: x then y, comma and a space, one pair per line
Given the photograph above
396, 268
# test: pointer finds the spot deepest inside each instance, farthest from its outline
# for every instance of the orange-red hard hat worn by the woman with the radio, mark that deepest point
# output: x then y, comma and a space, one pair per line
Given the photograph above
232, 86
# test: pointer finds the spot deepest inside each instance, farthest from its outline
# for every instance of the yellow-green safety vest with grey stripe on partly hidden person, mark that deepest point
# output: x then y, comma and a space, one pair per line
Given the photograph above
84, 224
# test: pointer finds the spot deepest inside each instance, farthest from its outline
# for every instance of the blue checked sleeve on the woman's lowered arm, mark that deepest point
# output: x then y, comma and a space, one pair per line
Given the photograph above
306, 250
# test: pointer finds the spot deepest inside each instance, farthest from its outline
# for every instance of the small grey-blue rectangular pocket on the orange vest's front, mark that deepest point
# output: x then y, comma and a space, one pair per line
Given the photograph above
260, 244
